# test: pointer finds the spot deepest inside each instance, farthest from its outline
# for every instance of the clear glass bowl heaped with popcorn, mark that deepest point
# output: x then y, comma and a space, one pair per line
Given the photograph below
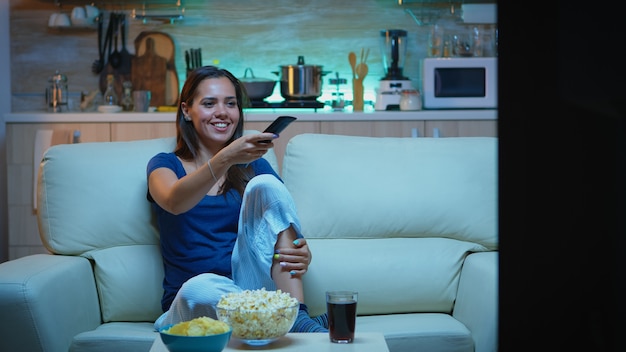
258, 317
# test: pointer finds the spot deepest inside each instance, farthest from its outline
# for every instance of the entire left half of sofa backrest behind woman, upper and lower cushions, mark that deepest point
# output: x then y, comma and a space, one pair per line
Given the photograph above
92, 202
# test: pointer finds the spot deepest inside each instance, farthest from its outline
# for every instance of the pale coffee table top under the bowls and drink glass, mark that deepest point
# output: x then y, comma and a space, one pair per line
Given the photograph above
305, 342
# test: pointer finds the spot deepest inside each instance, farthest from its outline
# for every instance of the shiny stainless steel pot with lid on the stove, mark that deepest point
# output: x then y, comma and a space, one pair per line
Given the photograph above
300, 81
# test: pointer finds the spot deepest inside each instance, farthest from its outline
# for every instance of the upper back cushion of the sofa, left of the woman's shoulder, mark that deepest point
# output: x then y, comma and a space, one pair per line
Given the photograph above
93, 195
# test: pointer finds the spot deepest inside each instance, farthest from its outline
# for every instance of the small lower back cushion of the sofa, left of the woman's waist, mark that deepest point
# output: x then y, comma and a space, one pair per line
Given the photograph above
129, 281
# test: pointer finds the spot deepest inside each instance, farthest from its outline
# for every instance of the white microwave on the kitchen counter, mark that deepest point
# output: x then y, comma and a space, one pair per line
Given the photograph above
460, 83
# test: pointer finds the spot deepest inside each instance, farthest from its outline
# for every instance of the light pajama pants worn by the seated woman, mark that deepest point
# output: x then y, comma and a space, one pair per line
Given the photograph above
267, 209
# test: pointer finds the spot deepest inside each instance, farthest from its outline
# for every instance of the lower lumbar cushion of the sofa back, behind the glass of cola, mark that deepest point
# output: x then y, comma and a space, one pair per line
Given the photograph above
392, 275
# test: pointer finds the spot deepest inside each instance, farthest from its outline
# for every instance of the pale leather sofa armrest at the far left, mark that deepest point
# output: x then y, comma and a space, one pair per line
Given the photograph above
45, 301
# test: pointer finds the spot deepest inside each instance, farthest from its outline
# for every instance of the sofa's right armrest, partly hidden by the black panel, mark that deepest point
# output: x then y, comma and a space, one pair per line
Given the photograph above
476, 304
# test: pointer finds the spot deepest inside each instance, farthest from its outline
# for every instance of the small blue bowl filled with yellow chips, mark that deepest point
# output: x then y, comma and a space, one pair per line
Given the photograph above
202, 334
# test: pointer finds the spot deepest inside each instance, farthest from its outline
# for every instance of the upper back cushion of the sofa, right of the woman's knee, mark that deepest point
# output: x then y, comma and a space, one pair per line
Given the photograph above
422, 187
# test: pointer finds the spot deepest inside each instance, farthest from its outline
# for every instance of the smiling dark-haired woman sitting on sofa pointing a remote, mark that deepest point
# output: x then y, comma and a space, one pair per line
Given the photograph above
226, 221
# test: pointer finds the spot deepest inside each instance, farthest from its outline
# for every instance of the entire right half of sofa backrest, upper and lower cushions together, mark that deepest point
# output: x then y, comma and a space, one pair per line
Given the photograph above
392, 218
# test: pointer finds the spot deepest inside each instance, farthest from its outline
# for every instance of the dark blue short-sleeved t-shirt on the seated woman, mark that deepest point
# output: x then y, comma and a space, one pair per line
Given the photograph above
202, 239
